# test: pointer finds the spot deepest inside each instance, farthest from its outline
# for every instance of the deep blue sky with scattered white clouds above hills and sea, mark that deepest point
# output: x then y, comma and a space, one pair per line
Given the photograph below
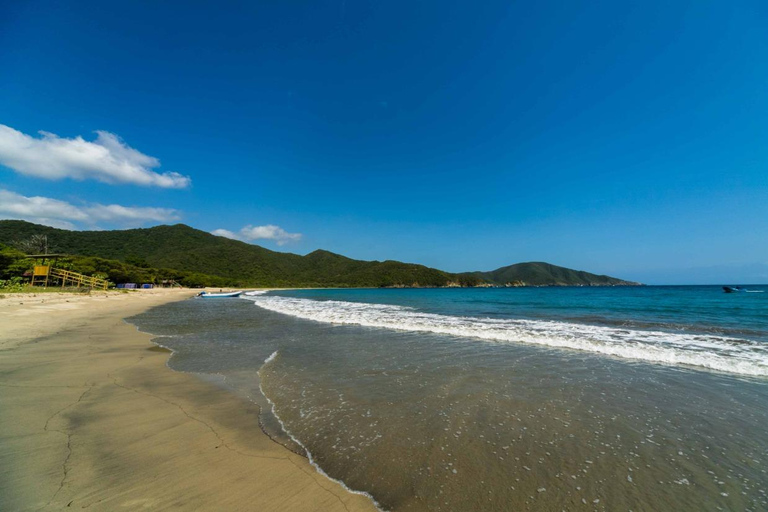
628, 138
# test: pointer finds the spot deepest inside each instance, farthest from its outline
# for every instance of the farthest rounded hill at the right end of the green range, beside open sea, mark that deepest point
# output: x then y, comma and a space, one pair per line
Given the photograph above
545, 274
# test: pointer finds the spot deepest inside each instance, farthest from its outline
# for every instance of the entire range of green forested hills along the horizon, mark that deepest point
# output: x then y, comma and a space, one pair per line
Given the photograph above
198, 257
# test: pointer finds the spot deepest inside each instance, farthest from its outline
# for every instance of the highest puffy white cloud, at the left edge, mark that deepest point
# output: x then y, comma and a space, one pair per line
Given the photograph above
107, 159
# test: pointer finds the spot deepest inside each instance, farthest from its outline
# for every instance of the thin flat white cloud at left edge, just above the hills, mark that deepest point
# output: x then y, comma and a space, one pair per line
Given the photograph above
53, 212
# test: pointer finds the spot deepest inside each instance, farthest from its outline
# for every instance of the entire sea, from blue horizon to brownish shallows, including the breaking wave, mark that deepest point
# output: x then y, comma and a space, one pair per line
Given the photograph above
403, 394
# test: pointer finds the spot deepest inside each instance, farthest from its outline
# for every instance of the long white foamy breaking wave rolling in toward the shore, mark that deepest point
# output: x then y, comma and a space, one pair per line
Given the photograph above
720, 353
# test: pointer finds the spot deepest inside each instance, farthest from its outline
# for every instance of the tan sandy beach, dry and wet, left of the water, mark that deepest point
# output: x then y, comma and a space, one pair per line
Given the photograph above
93, 418
